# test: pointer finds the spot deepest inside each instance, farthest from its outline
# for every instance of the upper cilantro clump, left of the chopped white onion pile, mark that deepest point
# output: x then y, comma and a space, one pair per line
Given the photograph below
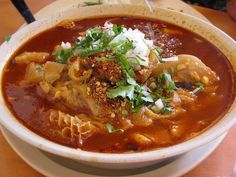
95, 41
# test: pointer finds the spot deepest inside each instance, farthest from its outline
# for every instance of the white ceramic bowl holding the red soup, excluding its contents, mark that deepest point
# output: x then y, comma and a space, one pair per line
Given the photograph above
124, 160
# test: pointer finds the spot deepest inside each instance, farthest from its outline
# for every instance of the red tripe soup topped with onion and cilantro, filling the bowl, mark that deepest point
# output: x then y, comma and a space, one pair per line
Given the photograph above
118, 84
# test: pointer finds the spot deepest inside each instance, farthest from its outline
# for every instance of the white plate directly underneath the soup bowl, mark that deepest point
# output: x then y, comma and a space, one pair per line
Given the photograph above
55, 166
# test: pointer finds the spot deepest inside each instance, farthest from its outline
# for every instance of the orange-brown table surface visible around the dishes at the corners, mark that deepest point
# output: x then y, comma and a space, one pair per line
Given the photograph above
221, 163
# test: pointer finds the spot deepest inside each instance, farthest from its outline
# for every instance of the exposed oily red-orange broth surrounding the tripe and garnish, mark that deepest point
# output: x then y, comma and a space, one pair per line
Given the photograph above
27, 110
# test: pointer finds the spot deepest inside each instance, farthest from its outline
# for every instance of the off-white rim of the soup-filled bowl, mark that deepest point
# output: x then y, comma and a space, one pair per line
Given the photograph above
40, 142
